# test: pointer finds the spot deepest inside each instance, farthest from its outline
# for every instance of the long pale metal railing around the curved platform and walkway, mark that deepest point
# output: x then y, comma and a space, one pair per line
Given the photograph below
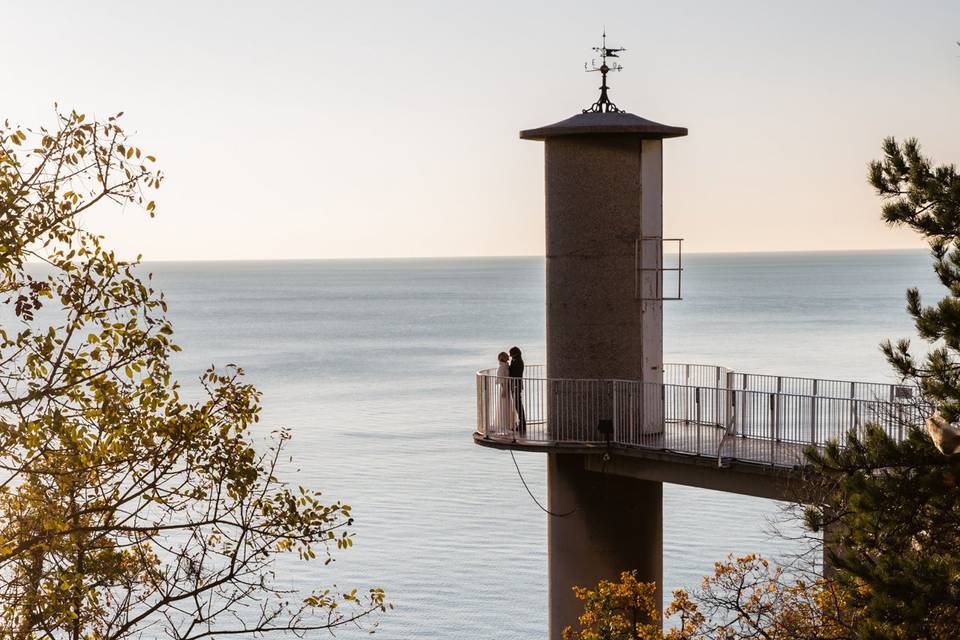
699, 410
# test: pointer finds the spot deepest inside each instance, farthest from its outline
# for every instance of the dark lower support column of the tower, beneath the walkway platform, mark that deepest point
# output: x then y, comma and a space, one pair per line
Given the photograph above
616, 525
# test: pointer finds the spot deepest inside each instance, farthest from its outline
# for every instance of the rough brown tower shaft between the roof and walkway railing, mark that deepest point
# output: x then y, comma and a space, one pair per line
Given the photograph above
603, 193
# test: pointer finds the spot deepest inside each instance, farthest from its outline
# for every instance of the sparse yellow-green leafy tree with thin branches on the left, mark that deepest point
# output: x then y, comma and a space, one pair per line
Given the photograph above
123, 506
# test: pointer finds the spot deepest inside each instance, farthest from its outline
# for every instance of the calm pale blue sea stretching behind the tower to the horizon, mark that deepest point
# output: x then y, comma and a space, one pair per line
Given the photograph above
371, 364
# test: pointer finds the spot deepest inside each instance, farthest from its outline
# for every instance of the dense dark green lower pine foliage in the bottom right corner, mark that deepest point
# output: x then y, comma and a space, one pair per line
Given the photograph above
892, 510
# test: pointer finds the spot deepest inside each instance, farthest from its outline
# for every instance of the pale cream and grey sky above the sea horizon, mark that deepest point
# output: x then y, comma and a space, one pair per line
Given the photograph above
293, 129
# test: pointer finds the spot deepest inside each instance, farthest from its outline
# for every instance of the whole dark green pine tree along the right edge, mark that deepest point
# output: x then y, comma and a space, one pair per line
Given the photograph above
893, 509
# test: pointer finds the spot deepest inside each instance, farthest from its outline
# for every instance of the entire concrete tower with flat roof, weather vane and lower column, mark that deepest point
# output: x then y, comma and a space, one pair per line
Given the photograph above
604, 298
